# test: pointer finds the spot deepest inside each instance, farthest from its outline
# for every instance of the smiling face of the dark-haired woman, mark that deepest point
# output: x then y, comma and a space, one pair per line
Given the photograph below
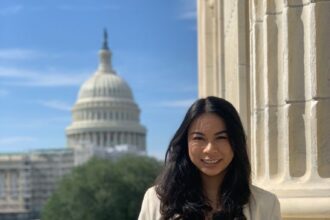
208, 145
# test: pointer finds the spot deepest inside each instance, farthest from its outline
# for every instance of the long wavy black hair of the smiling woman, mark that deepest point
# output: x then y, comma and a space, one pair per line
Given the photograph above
179, 186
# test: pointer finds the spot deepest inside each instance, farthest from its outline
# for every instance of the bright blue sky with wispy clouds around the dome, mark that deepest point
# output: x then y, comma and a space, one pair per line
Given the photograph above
49, 48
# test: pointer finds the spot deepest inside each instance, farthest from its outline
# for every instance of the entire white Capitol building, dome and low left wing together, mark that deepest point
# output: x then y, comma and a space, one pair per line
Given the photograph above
105, 123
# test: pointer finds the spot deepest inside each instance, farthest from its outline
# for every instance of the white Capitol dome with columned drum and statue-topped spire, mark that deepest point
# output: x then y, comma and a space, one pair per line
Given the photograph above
105, 113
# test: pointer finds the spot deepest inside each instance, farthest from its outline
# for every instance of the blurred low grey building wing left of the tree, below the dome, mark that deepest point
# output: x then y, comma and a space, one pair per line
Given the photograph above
27, 181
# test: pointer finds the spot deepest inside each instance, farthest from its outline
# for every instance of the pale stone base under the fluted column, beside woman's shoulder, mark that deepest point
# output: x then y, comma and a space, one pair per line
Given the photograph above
302, 199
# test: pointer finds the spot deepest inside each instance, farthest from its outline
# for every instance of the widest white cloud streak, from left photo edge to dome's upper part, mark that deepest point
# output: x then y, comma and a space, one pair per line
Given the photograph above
25, 77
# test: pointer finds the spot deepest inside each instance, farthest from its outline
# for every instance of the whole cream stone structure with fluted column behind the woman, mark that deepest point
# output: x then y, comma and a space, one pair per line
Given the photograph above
271, 59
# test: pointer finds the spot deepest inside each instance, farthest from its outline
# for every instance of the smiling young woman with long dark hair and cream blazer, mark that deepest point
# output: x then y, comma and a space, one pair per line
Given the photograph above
207, 171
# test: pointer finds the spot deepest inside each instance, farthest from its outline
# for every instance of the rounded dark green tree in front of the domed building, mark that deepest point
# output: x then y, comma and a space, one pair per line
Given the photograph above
103, 190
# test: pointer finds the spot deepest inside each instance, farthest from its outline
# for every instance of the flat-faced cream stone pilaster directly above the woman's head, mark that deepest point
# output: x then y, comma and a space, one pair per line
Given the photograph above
223, 59
